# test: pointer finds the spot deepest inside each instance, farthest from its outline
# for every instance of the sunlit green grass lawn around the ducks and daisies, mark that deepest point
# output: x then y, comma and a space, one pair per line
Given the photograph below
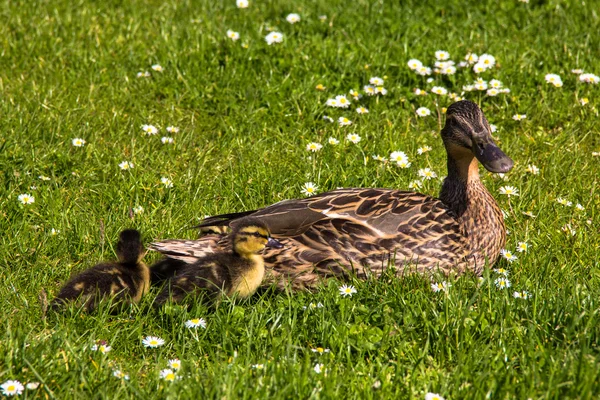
68, 69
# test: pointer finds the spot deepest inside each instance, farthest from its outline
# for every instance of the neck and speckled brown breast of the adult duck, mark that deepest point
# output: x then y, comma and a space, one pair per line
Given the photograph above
477, 211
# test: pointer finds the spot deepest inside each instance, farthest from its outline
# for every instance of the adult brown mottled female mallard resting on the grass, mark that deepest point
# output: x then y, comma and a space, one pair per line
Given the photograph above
365, 230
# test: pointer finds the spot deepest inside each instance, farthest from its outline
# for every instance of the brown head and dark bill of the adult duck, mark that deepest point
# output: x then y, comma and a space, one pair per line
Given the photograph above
467, 133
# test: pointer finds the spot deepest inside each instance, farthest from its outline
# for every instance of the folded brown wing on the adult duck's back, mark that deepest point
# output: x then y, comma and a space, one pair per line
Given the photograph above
379, 212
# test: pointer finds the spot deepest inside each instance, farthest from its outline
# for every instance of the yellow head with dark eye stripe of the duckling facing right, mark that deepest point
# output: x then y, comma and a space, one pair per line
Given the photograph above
251, 236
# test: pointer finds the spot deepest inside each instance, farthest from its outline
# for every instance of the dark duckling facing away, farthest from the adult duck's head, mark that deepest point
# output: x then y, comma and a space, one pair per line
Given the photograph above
127, 279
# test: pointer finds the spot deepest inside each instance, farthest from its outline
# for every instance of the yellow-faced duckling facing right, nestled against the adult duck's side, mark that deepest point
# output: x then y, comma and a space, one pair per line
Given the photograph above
239, 271
